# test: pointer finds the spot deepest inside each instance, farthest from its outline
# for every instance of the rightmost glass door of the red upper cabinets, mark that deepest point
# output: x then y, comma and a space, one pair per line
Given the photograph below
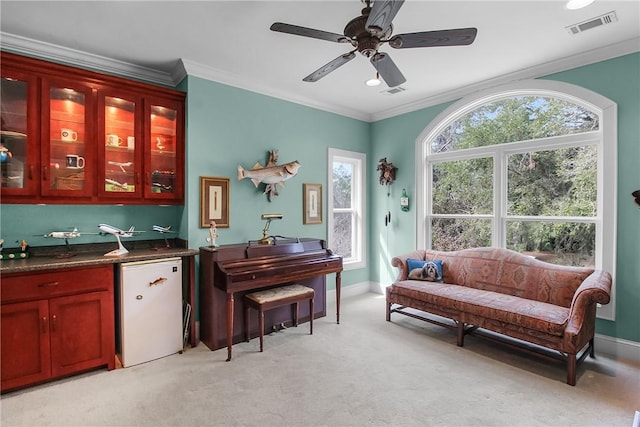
163, 159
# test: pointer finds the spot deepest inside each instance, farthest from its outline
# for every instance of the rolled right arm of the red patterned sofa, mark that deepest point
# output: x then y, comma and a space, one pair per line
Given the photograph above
595, 289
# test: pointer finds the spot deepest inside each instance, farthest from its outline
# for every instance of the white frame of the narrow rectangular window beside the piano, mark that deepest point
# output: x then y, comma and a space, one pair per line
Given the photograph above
358, 203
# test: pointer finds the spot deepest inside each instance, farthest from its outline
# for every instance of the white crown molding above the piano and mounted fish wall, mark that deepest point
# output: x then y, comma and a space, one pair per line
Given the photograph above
195, 69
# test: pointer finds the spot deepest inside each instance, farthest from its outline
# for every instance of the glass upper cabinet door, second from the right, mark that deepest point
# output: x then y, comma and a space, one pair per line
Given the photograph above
122, 146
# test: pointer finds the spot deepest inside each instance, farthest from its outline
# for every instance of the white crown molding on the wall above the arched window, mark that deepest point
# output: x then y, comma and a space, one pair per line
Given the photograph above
590, 57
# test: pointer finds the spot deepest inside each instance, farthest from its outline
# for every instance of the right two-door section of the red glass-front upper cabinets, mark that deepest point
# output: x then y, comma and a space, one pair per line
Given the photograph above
142, 155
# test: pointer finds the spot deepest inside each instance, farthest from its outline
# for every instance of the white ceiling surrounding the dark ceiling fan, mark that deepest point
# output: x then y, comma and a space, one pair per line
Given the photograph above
230, 42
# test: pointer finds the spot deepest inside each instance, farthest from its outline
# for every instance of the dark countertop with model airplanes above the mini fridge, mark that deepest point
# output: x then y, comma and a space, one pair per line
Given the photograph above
44, 258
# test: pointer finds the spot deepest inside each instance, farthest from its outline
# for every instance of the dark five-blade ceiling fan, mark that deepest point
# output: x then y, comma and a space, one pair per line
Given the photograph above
368, 32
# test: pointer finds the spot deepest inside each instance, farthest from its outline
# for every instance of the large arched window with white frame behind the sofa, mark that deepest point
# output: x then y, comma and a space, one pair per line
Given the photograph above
529, 167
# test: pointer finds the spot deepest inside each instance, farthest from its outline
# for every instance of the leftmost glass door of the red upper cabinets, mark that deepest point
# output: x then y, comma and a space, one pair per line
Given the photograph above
18, 134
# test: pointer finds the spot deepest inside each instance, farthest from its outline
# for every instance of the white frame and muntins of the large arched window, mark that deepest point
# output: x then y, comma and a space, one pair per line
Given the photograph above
605, 139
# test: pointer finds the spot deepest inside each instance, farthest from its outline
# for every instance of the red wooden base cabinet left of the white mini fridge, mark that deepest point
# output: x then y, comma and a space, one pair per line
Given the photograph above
55, 323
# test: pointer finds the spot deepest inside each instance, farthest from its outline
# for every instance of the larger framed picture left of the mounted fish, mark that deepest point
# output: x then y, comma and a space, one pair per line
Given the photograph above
214, 201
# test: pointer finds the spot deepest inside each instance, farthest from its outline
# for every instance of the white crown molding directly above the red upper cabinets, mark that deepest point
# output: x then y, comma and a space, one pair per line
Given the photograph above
60, 54
